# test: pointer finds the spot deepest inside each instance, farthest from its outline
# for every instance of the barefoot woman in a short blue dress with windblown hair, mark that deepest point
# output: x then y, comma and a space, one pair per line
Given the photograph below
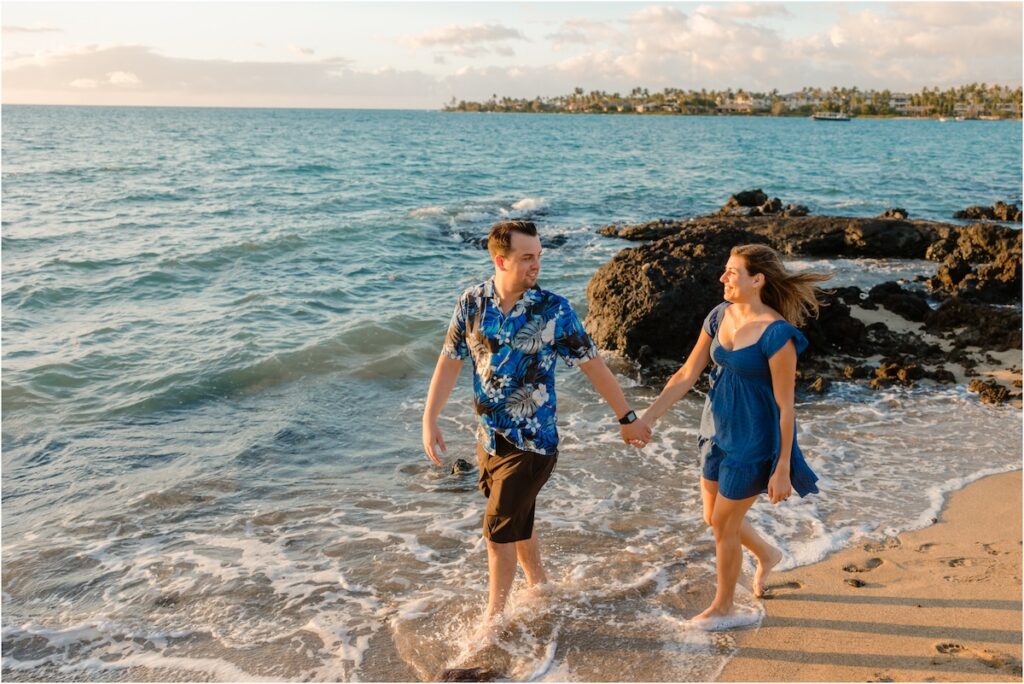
748, 435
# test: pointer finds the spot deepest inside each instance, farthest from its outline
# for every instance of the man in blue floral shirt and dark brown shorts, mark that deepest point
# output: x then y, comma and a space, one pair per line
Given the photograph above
514, 331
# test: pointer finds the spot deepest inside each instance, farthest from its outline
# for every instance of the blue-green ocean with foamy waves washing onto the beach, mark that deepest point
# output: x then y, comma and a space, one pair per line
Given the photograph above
220, 328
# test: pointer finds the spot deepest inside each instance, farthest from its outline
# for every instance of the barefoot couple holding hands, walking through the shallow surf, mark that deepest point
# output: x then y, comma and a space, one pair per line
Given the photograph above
514, 332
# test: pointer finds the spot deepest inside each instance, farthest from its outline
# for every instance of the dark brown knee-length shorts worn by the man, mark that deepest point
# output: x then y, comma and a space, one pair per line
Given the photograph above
511, 482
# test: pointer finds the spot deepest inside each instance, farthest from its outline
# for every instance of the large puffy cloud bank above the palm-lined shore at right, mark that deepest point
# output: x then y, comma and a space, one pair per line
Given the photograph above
903, 46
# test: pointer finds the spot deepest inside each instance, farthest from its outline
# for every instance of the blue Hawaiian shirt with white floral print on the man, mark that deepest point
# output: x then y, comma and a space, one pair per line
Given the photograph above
515, 362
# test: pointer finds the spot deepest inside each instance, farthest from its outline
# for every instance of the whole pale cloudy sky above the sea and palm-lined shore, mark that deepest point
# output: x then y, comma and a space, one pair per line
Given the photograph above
422, 55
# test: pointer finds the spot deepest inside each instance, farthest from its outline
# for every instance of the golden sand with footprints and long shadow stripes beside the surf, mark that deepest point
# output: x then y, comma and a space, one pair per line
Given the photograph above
938, 605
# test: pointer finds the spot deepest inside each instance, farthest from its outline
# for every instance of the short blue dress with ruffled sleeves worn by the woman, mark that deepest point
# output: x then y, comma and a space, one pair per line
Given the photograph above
740, 434
